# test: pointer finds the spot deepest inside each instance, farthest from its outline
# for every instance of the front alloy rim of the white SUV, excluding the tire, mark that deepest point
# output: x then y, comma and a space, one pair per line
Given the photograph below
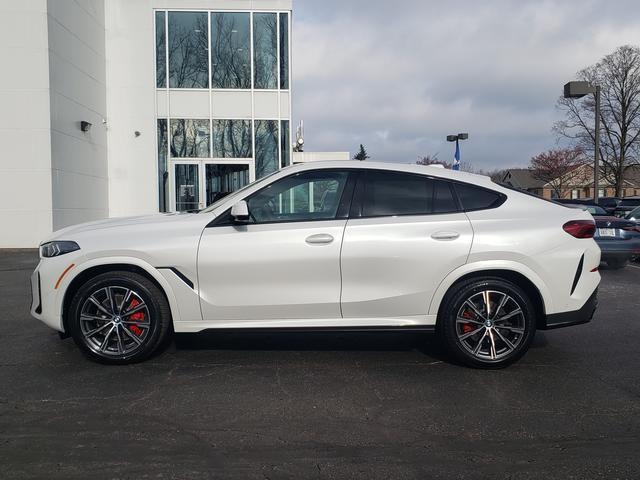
115, 321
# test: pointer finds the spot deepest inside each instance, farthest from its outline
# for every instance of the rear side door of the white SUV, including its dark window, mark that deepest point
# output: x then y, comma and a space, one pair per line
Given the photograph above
404, 235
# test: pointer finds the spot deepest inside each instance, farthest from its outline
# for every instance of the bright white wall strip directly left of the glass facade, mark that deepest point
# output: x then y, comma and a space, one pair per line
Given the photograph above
131, 100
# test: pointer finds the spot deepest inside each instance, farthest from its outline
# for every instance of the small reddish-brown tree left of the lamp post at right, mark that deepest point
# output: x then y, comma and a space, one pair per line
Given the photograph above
559, 168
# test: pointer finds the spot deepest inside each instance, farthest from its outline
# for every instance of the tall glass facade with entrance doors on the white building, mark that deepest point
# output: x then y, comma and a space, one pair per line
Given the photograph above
201, 159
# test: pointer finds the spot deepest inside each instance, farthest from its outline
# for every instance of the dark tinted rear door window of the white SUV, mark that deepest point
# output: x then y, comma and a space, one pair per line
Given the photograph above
391, 193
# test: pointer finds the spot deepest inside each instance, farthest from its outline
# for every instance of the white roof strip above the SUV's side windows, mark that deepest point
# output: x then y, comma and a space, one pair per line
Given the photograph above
431, 170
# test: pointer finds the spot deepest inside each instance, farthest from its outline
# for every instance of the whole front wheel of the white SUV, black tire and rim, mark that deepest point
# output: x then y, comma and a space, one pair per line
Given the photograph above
144, 313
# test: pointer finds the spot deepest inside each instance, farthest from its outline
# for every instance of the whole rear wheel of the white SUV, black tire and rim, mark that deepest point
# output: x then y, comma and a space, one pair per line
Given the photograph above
508, 345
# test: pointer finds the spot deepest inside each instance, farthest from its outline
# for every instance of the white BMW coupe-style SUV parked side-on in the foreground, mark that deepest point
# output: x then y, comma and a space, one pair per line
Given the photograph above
336, 245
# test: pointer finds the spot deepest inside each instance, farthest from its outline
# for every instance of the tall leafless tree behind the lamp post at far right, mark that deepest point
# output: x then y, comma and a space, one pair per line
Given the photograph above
618, 74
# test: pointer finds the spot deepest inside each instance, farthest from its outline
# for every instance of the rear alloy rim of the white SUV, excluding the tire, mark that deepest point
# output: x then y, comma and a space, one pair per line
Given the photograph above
490, 325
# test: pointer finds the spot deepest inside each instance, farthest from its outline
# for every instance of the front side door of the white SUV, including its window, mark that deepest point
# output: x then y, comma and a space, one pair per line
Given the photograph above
285, 262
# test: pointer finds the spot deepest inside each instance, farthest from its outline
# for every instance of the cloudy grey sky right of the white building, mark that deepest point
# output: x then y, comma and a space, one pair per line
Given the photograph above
398, 76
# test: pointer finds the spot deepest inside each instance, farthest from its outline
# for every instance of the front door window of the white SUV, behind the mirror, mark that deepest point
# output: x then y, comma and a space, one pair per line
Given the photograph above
303, 197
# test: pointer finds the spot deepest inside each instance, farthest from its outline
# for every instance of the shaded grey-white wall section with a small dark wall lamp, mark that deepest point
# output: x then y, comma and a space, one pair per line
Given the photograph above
78, 92
